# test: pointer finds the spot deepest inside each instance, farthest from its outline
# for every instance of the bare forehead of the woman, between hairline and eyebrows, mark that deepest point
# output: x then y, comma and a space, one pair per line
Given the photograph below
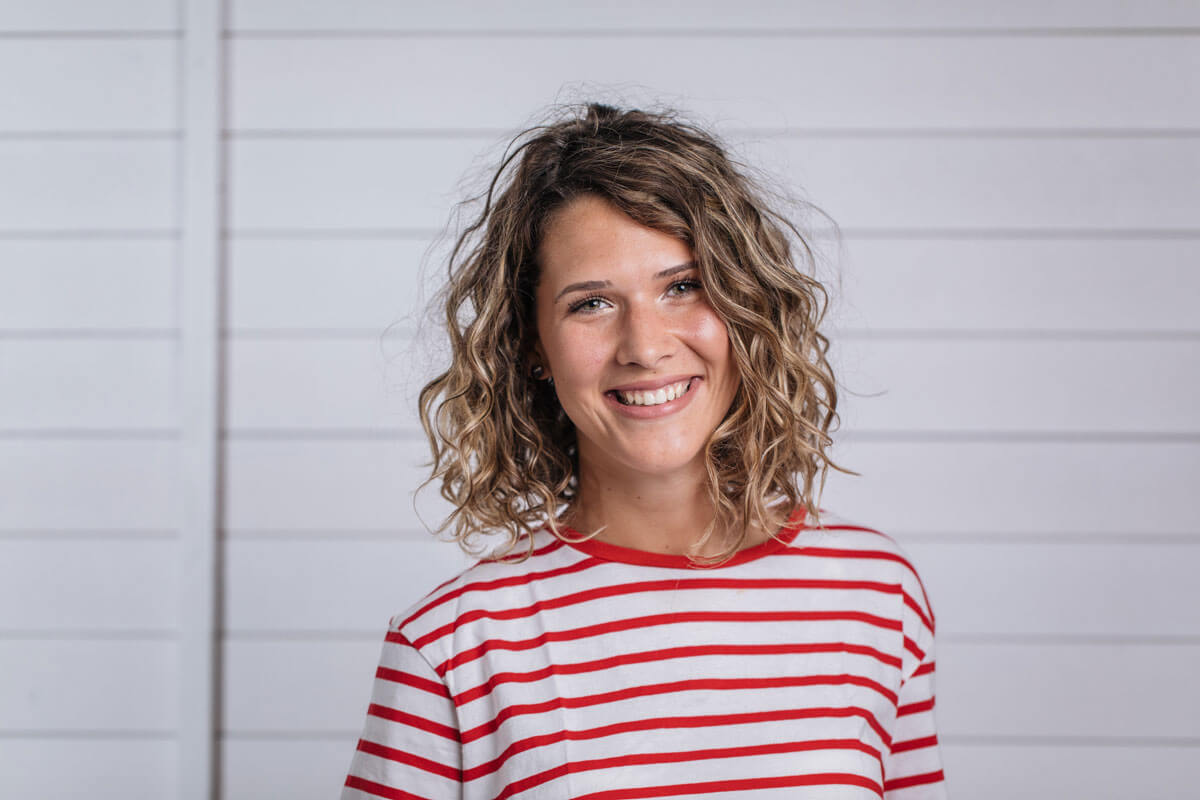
591, 234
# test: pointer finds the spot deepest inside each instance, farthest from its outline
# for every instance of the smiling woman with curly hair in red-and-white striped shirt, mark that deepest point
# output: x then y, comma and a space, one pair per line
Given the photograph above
640, 400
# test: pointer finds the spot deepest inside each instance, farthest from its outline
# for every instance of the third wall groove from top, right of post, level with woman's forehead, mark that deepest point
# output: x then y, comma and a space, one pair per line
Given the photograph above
871, 234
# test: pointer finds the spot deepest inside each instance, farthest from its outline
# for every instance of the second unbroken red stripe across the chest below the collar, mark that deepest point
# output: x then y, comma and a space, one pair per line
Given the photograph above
616, 627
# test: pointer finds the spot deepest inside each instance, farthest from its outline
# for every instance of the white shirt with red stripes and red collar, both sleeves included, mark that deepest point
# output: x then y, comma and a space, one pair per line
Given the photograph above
598, 672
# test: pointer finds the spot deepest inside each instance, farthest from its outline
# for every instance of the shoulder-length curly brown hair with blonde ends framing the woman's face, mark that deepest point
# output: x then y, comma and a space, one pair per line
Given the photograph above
503, 448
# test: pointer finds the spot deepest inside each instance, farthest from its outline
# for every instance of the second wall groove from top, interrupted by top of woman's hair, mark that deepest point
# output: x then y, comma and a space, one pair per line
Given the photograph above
831, 133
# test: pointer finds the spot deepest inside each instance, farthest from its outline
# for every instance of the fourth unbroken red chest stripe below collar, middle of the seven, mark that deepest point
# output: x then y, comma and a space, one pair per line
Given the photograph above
651, 690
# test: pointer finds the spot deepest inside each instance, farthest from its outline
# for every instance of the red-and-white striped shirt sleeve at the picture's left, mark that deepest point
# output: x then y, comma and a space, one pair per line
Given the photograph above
411, 745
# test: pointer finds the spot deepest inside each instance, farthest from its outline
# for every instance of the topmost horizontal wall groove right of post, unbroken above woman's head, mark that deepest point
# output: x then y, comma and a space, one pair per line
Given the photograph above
725, 33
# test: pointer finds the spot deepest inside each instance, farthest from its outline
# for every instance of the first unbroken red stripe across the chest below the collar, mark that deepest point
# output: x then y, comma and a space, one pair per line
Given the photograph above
667, 585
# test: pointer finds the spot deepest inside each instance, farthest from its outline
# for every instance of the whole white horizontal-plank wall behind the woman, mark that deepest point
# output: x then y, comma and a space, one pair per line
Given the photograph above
1019, 188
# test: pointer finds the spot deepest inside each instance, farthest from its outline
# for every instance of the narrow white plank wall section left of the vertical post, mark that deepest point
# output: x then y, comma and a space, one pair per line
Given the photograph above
89, 548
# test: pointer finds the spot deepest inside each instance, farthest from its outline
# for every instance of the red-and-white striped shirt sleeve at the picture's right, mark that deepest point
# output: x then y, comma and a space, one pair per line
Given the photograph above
913, 767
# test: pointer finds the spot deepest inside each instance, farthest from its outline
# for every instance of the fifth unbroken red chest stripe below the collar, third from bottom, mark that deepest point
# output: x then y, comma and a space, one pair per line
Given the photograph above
659, 724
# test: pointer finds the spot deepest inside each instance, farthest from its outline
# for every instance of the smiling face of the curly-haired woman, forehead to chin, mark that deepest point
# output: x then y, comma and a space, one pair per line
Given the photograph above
641, 362
